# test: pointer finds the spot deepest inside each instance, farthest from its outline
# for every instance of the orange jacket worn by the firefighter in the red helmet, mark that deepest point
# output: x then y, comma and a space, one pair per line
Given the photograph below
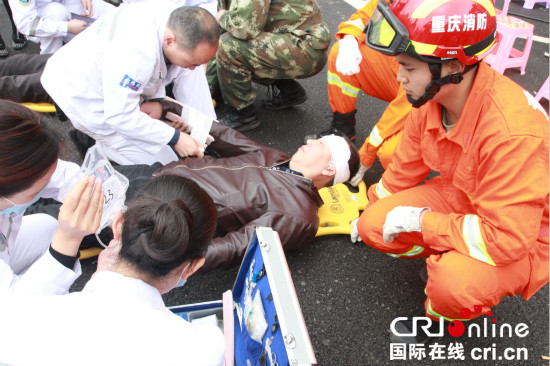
495, 159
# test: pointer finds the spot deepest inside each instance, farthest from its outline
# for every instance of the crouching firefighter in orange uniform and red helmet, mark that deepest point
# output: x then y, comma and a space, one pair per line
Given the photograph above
482, 223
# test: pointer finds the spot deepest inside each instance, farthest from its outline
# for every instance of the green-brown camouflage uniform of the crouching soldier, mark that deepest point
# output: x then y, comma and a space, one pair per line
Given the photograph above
266, 41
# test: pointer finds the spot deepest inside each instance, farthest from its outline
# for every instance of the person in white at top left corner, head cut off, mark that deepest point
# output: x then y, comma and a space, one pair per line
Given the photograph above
54, 22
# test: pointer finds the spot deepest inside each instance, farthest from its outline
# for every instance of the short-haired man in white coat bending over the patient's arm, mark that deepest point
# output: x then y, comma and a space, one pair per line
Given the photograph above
108, 80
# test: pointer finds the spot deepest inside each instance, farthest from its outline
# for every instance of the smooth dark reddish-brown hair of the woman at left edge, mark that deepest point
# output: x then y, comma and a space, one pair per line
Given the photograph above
28, 147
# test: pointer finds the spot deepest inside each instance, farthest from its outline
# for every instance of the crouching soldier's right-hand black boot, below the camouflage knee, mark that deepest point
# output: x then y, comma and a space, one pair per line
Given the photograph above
283, 94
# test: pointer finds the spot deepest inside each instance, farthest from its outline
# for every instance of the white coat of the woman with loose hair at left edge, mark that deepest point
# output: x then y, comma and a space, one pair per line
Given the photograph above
25, 263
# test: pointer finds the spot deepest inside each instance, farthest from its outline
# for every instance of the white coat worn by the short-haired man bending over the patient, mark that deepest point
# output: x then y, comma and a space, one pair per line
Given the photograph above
100, 78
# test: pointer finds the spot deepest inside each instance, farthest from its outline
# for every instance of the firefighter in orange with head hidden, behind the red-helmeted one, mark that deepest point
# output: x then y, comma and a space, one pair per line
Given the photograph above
352, 67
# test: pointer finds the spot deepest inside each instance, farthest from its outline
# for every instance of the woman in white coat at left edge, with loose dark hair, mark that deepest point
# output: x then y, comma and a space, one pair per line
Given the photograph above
30, 169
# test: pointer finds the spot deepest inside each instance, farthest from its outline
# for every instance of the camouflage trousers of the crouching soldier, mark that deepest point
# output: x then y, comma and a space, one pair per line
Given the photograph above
268, 57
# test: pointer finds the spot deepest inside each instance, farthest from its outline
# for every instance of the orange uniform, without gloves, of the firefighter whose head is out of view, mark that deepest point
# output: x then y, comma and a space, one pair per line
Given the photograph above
377, 78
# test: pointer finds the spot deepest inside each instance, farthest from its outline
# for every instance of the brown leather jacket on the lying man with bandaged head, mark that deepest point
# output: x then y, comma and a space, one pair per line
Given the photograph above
247, 193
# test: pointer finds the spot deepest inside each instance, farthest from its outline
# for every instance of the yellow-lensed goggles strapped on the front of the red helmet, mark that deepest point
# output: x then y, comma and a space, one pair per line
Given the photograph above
385, 33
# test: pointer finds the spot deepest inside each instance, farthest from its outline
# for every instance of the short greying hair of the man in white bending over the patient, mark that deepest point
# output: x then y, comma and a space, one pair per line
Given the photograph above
193, 25
